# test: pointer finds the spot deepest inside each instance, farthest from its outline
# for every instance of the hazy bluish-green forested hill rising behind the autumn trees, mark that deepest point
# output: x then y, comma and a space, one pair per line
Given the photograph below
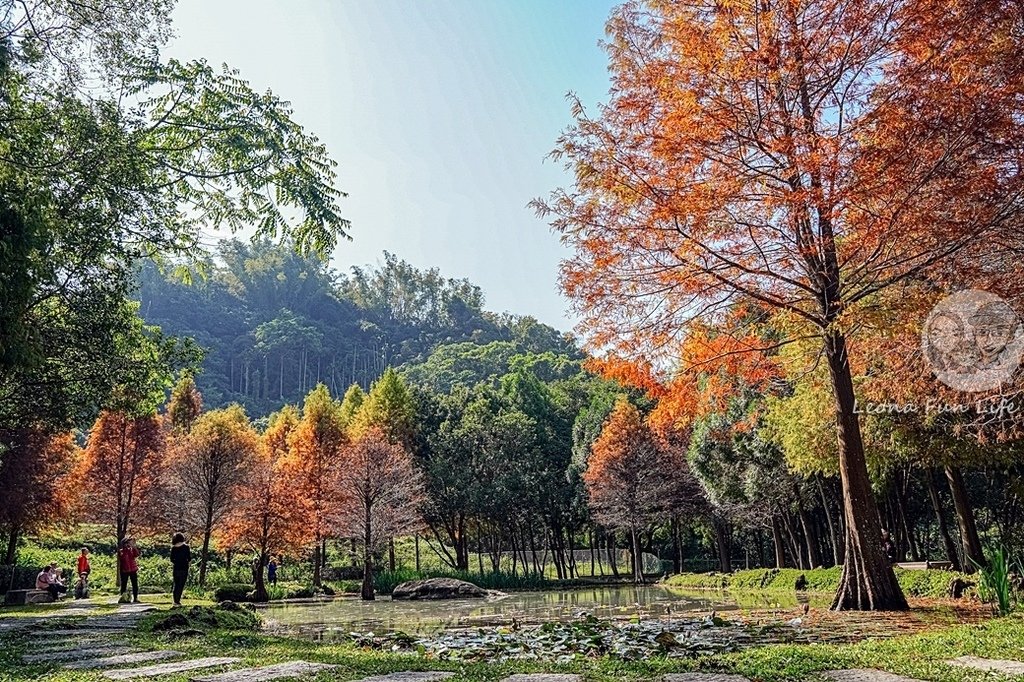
274, 324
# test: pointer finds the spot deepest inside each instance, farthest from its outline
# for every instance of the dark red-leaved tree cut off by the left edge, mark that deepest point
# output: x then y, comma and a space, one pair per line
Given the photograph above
37, 490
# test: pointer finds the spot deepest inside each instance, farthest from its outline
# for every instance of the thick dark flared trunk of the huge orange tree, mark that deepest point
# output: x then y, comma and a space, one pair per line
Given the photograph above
868, 582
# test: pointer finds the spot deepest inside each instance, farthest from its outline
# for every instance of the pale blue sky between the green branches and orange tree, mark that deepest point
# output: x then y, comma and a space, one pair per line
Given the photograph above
440, 114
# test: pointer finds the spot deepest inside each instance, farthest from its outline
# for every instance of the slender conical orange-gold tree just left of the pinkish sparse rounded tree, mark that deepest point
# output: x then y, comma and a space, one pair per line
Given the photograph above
313, 467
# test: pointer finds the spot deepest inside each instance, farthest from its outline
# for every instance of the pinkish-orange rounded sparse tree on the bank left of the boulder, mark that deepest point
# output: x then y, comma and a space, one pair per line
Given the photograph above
385, 490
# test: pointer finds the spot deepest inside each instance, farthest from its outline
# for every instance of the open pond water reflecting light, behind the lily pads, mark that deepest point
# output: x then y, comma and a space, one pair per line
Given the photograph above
343, 616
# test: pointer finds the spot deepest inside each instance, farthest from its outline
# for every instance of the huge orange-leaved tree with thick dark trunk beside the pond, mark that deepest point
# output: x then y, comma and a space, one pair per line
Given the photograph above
808, 155
